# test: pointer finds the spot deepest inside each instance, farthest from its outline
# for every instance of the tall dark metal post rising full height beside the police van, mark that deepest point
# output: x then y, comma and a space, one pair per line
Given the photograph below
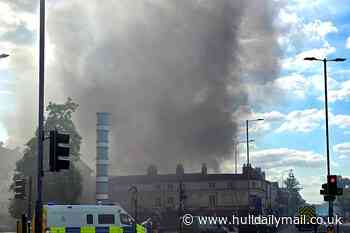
40, 173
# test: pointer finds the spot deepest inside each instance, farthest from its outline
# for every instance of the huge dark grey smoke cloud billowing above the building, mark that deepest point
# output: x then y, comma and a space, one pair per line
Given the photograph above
170, 73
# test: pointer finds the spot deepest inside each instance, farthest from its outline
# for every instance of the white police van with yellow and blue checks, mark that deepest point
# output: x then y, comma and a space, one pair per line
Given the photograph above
88, 219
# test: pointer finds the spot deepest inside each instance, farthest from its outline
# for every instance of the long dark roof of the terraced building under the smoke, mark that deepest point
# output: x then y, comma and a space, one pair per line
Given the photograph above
189, 177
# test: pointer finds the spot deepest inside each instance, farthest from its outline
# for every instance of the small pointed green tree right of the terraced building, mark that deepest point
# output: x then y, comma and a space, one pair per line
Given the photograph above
294, 198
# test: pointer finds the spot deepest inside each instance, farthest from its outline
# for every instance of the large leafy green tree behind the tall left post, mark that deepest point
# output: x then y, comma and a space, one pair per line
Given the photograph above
63, 187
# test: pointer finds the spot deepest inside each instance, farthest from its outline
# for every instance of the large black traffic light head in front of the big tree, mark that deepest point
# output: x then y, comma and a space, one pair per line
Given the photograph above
59, 151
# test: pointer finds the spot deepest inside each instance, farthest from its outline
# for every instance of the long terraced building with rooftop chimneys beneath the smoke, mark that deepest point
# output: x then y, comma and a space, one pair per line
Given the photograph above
202, 193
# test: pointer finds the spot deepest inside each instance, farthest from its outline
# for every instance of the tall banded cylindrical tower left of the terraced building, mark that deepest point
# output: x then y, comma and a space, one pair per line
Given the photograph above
102, 157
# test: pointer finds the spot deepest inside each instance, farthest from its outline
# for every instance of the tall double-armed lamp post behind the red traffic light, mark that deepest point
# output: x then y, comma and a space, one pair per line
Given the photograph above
325, 60
